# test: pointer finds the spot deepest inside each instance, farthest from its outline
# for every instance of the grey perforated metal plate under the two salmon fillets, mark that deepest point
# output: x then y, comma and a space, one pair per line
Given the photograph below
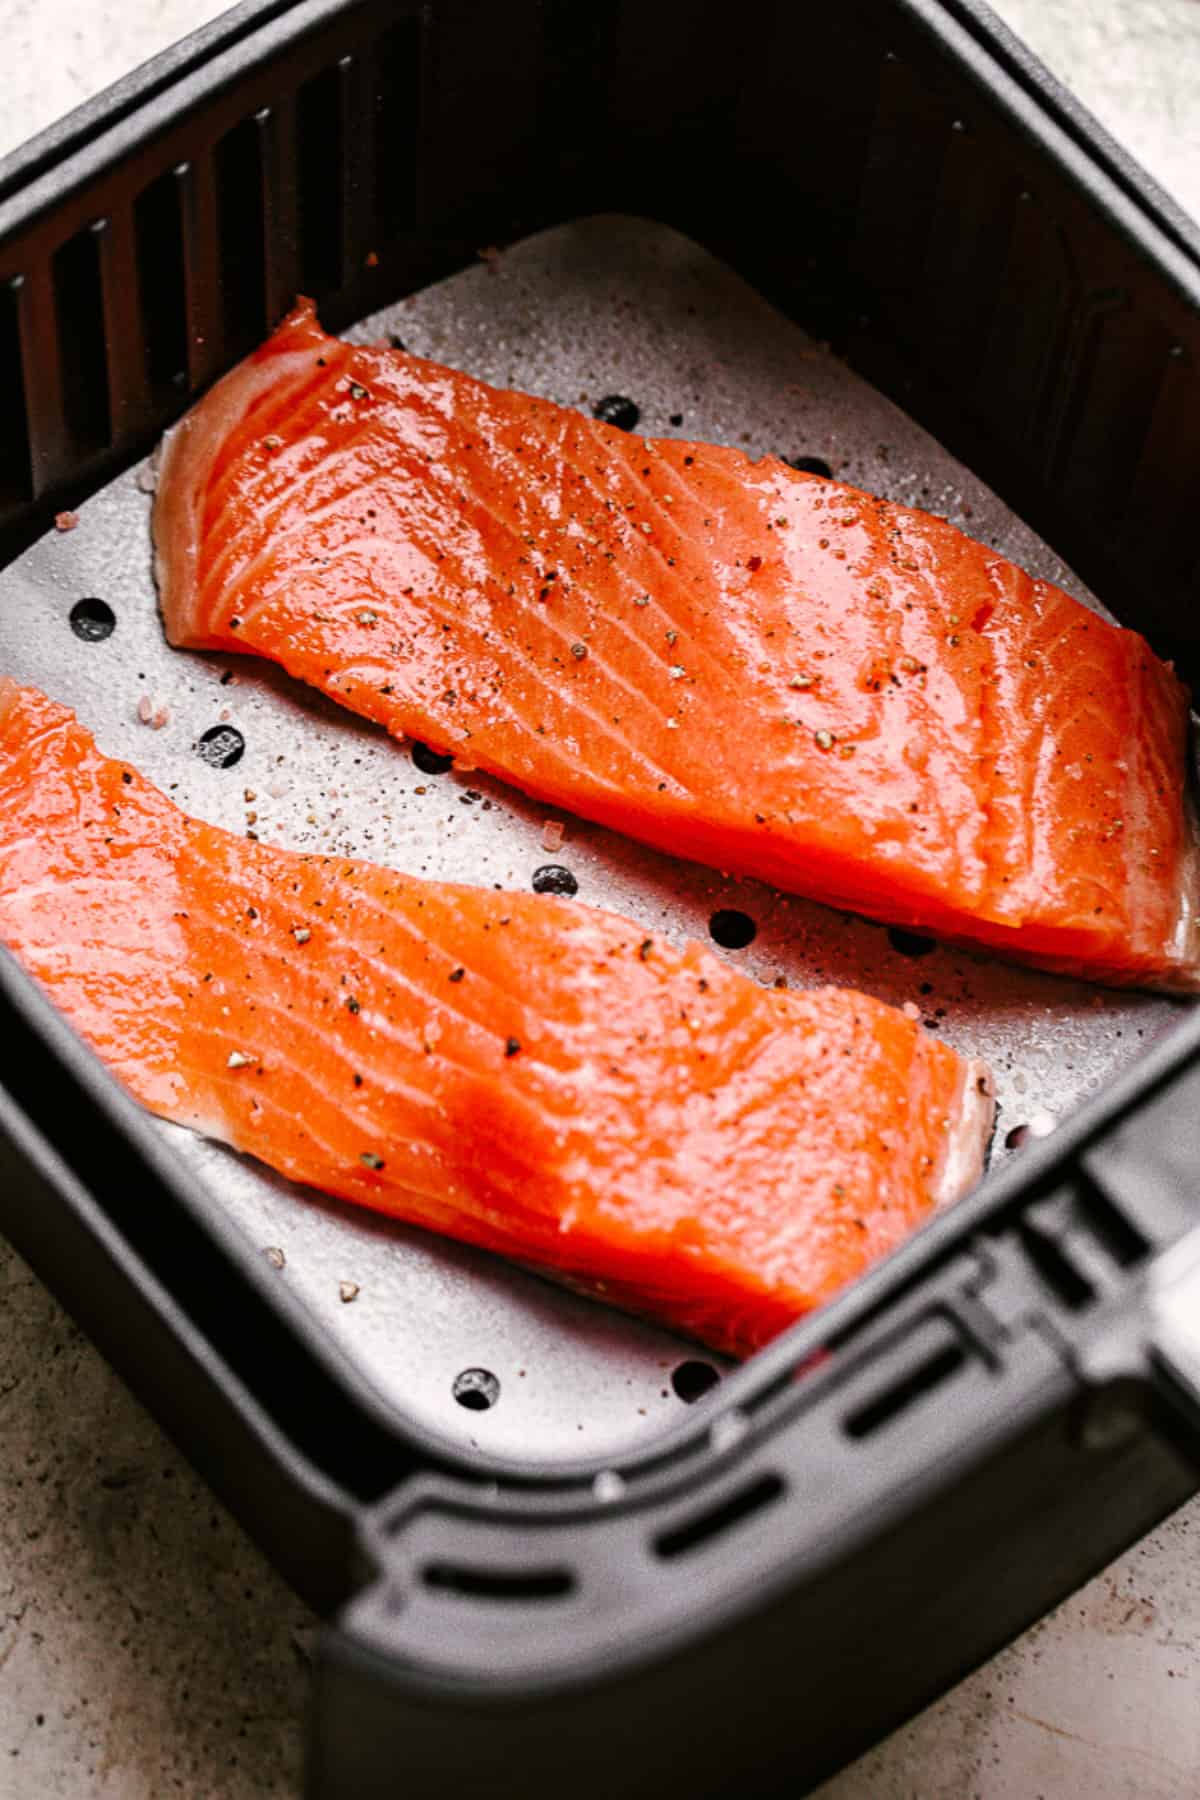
604, 307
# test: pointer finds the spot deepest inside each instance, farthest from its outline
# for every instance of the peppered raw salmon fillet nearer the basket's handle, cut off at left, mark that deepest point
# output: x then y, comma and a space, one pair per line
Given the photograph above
514, 1070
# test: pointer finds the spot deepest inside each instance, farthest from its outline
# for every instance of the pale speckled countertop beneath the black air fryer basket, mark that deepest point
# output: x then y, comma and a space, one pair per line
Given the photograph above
148, 1650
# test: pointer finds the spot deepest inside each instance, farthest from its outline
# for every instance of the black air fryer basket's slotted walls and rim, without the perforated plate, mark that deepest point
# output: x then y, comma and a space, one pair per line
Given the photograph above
888, 1495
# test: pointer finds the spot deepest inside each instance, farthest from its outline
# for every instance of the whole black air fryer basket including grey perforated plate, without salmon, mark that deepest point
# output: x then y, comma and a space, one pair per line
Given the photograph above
616, 201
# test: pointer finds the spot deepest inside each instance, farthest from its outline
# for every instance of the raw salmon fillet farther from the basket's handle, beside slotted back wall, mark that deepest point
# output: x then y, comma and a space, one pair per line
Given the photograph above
728, 660
